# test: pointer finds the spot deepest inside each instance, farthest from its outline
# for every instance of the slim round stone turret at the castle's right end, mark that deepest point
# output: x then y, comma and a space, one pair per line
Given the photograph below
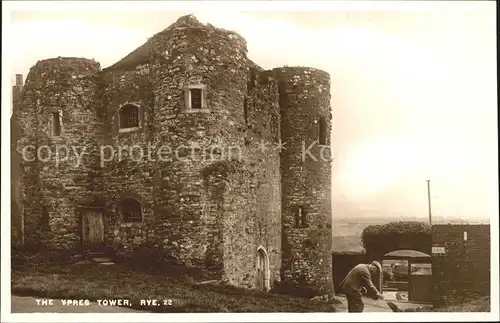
304, 95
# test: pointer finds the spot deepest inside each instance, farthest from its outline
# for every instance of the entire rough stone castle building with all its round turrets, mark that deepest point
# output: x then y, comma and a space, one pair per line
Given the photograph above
210, 211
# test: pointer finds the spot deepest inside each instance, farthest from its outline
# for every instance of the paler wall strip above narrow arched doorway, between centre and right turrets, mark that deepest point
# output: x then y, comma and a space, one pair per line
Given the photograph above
252, 199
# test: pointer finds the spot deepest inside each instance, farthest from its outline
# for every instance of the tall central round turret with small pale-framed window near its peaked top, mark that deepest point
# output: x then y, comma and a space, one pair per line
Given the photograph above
199, 76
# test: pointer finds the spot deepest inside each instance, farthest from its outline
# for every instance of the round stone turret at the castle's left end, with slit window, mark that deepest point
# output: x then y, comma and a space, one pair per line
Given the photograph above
59, 184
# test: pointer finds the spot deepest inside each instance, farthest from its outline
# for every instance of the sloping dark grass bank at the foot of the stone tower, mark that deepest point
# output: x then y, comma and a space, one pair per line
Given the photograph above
93, 281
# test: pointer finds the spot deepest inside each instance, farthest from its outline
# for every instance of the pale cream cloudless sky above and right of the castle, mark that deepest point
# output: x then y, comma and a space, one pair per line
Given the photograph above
413, 91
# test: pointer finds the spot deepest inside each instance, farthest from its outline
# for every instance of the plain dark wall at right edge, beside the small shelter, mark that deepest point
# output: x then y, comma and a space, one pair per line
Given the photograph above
464, 270
